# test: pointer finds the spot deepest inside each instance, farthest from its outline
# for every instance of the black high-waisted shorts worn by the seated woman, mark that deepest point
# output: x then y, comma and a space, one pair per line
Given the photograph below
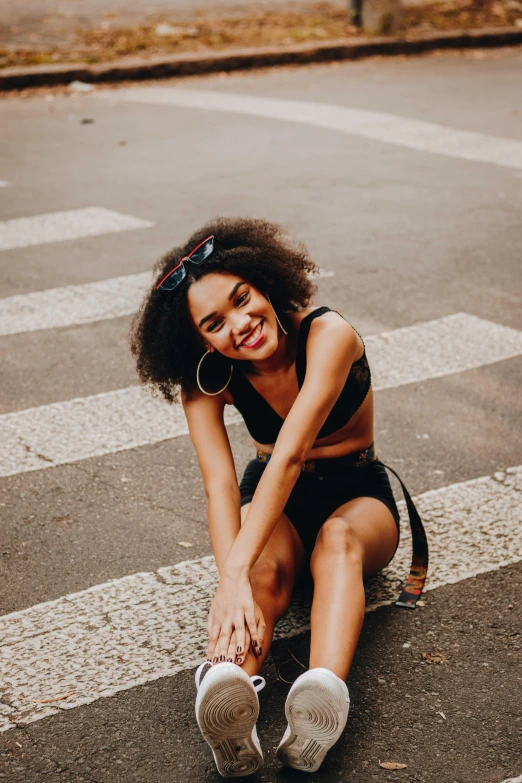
315, 496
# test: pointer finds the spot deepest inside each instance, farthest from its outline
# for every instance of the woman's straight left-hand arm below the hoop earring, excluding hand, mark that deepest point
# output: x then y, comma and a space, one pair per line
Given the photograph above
210, 438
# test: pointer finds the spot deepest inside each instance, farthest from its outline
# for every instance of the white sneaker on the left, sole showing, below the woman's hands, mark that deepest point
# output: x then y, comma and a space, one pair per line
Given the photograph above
227, 707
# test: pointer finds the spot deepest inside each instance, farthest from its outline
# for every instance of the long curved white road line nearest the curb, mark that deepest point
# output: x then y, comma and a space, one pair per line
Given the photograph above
388, 128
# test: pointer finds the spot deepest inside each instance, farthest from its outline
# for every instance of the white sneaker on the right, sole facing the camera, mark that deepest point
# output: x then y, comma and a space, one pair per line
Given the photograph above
317, 710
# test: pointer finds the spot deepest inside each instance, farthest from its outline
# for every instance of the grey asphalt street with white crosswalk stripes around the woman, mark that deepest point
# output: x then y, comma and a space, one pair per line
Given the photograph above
404, 178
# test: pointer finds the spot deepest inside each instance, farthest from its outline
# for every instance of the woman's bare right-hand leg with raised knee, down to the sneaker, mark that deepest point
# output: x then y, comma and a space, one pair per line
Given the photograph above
358, 540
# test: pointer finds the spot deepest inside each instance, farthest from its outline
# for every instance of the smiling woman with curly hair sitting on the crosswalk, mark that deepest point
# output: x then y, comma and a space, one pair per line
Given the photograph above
229, 322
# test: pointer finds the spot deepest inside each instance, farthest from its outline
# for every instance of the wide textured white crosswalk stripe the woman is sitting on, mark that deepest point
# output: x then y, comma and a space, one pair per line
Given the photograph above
142, 627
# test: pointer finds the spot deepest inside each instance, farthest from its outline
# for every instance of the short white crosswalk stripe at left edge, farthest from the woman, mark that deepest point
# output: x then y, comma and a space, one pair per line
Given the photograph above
61, 226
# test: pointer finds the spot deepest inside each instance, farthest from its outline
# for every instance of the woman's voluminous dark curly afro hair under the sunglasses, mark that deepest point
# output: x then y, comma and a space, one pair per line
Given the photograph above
163, 339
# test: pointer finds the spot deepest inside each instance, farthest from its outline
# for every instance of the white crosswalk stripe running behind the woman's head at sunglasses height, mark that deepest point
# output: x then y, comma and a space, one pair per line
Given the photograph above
78, 304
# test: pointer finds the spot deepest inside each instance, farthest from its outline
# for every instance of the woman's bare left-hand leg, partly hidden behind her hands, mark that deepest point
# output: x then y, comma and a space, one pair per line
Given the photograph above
272, 579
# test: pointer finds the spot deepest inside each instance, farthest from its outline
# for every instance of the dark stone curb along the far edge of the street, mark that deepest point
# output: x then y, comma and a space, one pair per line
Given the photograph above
138, 69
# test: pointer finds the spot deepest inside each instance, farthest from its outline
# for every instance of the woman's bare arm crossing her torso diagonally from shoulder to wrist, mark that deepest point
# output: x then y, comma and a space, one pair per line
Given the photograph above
331, 350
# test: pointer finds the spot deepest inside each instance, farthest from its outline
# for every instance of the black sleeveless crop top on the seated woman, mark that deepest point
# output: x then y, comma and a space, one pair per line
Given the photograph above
264, 424
